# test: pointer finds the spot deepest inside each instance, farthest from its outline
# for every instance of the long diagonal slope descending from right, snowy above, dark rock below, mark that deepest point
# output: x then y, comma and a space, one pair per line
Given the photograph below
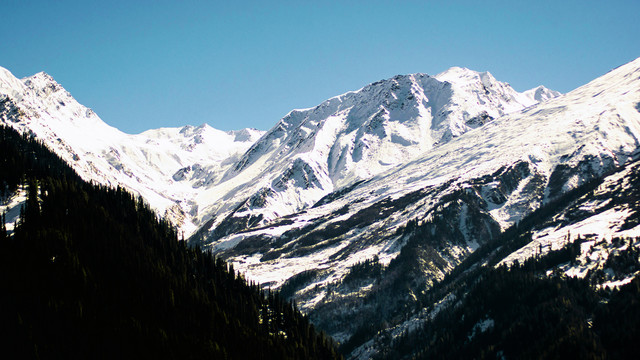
418, 221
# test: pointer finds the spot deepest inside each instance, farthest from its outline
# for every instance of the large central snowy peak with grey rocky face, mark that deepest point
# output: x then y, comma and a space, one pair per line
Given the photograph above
355, 136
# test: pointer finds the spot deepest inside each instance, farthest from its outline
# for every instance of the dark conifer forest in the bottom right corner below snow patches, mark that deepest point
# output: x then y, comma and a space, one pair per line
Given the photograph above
520, 313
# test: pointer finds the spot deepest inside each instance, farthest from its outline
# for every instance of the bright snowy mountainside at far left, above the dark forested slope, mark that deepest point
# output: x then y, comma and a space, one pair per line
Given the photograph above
167, 167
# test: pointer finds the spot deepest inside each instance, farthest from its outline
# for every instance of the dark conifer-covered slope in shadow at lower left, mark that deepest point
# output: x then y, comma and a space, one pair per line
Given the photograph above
92, 272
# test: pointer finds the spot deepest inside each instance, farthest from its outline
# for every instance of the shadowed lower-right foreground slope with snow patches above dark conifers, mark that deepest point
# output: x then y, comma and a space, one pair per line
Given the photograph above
587, 237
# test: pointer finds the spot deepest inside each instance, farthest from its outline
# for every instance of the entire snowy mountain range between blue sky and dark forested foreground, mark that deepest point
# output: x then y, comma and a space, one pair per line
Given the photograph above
358, 207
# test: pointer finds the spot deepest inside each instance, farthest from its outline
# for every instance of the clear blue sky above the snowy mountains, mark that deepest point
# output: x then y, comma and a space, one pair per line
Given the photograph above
236, 64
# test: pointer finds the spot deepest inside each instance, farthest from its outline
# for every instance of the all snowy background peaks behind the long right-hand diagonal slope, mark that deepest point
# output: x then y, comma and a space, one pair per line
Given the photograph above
200, 175
